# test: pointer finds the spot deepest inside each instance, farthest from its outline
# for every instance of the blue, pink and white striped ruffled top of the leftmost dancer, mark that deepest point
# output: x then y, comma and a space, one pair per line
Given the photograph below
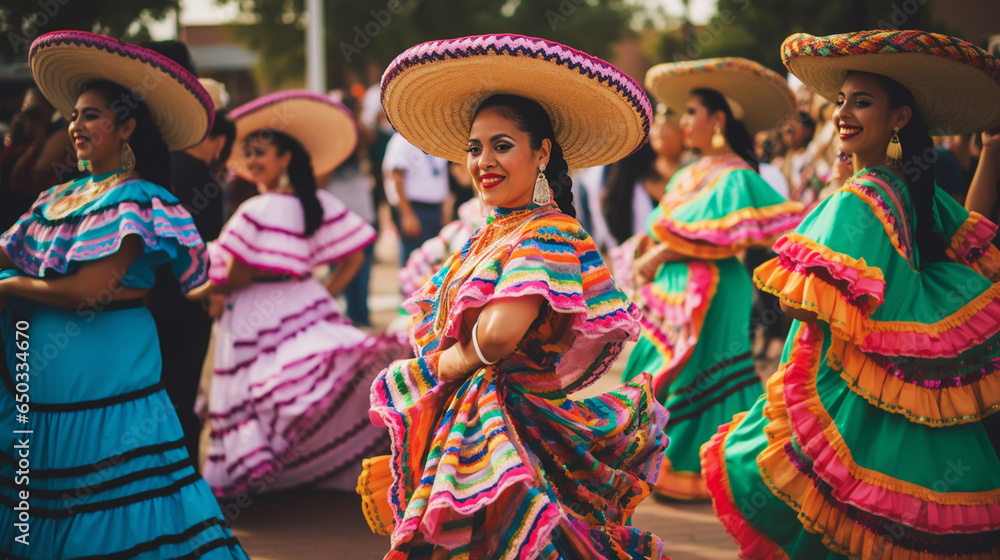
41, 246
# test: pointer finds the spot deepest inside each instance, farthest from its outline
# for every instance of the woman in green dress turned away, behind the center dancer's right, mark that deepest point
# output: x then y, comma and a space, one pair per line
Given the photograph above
695, 295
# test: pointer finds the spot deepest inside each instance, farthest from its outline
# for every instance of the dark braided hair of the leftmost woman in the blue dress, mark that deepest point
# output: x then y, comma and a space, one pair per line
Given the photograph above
152, 159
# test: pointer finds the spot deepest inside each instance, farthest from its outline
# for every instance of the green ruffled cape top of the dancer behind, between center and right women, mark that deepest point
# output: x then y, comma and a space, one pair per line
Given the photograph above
730, 212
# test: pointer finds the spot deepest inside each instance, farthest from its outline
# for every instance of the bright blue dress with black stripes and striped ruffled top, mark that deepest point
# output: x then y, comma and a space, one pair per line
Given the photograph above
107, 472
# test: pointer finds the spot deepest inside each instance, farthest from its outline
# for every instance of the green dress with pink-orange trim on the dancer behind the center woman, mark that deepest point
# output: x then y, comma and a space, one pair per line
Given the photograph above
696, 312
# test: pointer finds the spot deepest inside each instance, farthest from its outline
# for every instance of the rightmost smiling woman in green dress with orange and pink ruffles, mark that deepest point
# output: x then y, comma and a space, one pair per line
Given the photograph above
875, 438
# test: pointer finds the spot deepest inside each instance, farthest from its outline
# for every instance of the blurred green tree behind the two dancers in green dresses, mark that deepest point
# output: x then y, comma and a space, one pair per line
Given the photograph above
754, 29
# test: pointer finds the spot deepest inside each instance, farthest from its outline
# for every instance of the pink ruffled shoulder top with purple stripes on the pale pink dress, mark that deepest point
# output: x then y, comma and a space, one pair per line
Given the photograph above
267, 233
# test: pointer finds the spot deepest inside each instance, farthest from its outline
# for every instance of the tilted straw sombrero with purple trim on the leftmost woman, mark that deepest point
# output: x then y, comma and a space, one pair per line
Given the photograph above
64, 62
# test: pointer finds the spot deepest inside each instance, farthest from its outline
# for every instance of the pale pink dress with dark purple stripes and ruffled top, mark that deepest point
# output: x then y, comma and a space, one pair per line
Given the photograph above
287, 404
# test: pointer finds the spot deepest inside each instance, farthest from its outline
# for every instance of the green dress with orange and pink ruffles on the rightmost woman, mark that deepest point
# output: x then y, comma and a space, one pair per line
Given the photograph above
878, 435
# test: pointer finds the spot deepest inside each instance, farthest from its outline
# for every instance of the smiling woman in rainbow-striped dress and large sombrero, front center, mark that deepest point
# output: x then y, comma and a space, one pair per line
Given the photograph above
491, 458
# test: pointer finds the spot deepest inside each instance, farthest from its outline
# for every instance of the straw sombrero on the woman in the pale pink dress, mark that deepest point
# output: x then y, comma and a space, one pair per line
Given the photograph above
324, 127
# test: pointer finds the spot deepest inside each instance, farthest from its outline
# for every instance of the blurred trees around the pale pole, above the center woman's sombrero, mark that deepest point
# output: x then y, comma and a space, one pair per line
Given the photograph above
361, 35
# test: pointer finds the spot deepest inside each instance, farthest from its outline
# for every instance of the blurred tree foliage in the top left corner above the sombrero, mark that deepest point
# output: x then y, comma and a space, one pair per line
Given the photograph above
21, 21
